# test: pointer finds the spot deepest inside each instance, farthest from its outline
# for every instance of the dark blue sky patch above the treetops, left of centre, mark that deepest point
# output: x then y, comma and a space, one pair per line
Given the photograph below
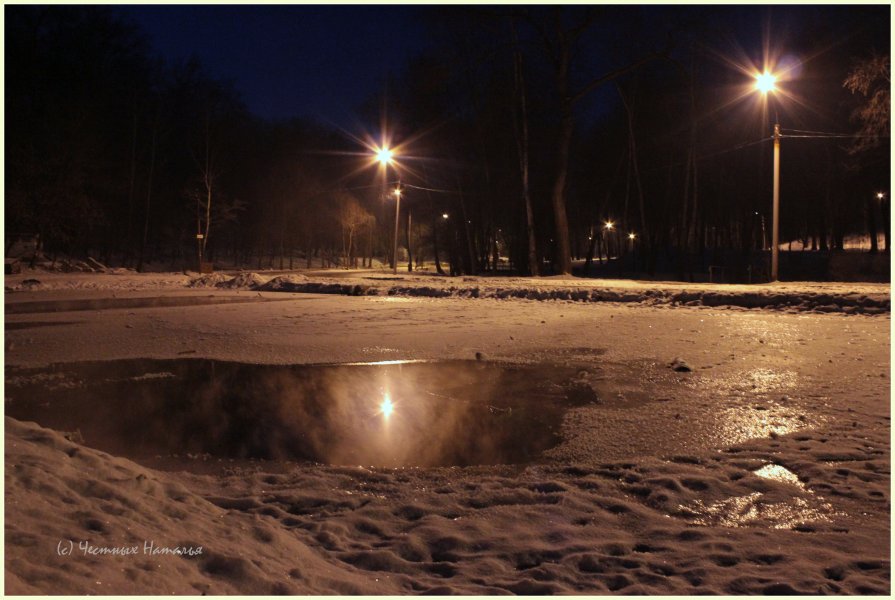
315, 61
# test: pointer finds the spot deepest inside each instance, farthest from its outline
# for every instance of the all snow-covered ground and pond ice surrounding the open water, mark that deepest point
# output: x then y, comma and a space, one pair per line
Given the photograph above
765, 468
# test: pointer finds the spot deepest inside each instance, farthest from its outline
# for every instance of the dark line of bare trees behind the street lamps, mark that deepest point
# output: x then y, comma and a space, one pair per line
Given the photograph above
525, 132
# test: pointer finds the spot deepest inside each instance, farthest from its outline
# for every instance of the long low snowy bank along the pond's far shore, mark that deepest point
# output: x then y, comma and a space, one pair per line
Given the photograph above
847, 298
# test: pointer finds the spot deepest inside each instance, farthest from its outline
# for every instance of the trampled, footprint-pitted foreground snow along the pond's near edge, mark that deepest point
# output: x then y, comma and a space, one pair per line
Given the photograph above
731, 523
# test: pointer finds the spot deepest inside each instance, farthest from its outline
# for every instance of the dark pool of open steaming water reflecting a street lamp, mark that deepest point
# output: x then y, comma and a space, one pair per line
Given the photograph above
388, 414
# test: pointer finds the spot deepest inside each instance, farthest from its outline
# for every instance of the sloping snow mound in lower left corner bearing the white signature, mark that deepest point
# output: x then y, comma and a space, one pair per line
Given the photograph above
79, 522
